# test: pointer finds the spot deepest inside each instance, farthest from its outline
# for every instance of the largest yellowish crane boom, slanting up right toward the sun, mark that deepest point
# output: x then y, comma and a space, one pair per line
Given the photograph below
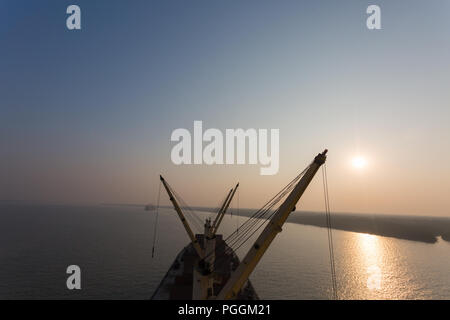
254, 255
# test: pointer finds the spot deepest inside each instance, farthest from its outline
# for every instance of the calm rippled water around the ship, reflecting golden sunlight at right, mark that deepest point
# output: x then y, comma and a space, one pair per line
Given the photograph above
113, 246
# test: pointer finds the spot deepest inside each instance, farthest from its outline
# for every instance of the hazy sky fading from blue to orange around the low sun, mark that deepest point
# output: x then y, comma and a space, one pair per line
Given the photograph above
86, 115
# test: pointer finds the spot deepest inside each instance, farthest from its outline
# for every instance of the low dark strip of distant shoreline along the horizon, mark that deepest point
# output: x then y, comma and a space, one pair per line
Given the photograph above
414, 228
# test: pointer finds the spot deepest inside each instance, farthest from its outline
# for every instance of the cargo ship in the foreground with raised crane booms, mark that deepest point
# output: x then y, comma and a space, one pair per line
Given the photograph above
208, 267
